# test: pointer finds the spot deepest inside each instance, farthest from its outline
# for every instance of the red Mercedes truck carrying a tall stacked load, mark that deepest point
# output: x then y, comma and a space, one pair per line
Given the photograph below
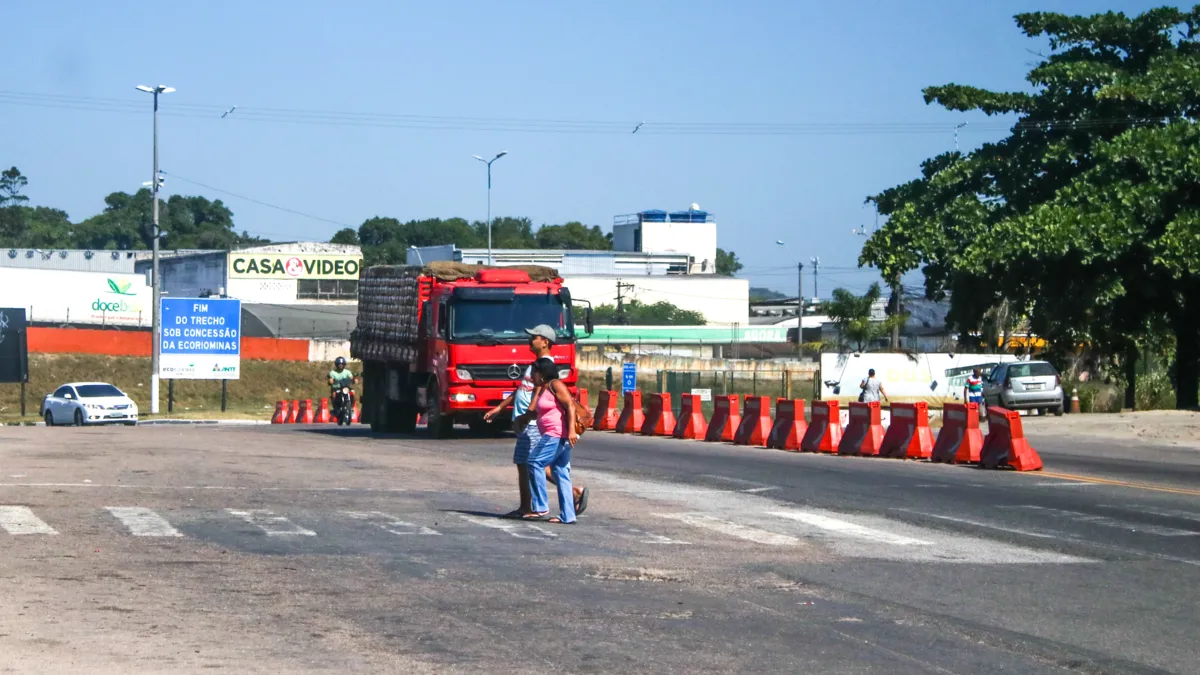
449, 341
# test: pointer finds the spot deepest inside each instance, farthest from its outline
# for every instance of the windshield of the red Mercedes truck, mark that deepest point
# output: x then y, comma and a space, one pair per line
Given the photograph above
507, 322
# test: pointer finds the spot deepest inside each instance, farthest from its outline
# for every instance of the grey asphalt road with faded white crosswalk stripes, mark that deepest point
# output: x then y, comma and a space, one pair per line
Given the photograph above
304, 549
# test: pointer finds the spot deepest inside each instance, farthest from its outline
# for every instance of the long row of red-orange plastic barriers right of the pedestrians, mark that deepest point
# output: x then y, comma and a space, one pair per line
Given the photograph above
908, 437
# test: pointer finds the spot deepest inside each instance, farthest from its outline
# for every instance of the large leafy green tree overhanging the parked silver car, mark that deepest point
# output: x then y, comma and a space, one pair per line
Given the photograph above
1085, 219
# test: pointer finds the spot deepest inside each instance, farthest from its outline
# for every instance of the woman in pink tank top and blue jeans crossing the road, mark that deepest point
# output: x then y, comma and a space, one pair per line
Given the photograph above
556, 423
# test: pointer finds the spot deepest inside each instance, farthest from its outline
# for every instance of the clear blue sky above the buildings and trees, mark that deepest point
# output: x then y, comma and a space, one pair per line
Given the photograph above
801, 63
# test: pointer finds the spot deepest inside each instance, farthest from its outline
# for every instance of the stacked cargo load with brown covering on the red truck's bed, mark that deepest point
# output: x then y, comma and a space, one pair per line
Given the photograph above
388, 306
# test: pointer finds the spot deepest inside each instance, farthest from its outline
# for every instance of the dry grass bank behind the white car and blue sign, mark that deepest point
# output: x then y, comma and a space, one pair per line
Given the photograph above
251, 398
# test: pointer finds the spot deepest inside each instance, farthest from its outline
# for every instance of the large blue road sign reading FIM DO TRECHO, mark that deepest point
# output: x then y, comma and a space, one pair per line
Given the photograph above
201, 339
